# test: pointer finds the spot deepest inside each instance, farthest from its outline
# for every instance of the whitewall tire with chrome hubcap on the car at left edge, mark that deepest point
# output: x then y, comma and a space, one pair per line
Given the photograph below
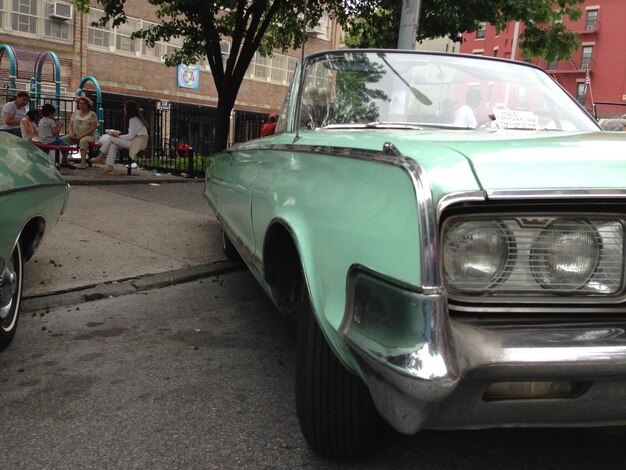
10, 296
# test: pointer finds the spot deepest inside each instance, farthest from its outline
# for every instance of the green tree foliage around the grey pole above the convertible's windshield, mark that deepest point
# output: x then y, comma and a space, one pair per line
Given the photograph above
544, 35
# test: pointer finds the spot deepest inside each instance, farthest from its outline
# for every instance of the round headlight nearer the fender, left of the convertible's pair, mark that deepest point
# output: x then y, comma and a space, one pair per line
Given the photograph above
475, 254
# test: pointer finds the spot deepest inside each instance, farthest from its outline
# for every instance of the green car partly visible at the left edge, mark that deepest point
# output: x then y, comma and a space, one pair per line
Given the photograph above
33, 195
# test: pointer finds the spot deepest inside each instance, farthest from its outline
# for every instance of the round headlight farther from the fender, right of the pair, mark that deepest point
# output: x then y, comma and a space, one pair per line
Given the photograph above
565, 255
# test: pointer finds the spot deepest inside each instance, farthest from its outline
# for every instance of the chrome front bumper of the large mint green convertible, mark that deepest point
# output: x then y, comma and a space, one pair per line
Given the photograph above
427, 370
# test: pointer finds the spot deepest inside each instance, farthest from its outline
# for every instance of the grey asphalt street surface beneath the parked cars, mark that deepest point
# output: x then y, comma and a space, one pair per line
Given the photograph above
200, 375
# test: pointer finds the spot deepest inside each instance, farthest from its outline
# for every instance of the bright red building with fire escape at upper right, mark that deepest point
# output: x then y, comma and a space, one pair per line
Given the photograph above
602, 53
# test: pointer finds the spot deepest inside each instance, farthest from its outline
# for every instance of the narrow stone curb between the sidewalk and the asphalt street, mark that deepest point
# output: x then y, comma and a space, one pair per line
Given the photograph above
128, 286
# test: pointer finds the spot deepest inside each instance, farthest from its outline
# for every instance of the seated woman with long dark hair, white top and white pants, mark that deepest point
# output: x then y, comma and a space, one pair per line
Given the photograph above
134, 141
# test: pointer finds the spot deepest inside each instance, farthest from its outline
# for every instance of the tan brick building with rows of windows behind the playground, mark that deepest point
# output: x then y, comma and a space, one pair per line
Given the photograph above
129, 68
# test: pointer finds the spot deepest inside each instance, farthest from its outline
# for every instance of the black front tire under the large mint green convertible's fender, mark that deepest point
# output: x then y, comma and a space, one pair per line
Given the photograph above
335, 410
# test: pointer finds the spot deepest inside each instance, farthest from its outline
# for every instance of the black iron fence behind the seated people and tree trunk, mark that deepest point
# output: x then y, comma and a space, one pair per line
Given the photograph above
181, 135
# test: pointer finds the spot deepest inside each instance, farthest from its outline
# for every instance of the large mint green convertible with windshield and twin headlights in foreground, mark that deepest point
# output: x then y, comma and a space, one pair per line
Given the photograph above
449, 232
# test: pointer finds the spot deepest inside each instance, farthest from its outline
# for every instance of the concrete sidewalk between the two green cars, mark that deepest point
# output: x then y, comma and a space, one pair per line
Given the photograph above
121, 234
